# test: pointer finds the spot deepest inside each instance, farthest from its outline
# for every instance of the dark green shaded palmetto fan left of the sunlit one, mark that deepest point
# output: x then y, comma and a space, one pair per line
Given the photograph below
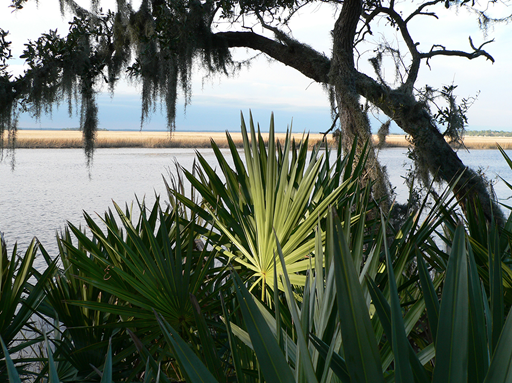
155, 264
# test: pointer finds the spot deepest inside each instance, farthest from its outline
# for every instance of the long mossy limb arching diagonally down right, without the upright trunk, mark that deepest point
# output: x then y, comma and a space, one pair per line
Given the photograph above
401, 106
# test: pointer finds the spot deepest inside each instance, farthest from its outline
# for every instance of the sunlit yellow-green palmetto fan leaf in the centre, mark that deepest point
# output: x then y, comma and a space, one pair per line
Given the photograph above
283, 188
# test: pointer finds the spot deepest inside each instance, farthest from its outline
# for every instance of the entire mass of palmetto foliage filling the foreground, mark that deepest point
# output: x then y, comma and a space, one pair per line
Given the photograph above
171, 295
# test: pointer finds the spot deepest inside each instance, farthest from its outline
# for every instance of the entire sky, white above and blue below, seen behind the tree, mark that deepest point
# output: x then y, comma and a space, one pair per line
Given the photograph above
268, 87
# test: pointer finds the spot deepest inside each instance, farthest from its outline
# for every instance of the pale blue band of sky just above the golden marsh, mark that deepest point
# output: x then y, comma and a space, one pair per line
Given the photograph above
123, 113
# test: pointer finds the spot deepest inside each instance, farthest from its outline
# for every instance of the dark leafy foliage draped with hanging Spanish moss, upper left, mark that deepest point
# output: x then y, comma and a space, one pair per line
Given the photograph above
165, 37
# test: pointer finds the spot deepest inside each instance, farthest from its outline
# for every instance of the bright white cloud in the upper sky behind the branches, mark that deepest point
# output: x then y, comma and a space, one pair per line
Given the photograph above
267, 84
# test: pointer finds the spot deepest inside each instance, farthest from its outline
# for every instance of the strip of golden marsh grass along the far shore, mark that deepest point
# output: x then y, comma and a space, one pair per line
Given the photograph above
65, 139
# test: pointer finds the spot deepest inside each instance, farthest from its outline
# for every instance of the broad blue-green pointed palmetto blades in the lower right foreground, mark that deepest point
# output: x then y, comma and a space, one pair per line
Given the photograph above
354, 341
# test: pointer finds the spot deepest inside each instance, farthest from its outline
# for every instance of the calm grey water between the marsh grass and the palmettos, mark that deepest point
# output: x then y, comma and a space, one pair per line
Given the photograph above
52, 186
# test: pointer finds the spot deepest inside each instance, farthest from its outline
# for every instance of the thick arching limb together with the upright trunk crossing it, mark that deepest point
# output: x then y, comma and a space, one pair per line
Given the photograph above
399, 104
